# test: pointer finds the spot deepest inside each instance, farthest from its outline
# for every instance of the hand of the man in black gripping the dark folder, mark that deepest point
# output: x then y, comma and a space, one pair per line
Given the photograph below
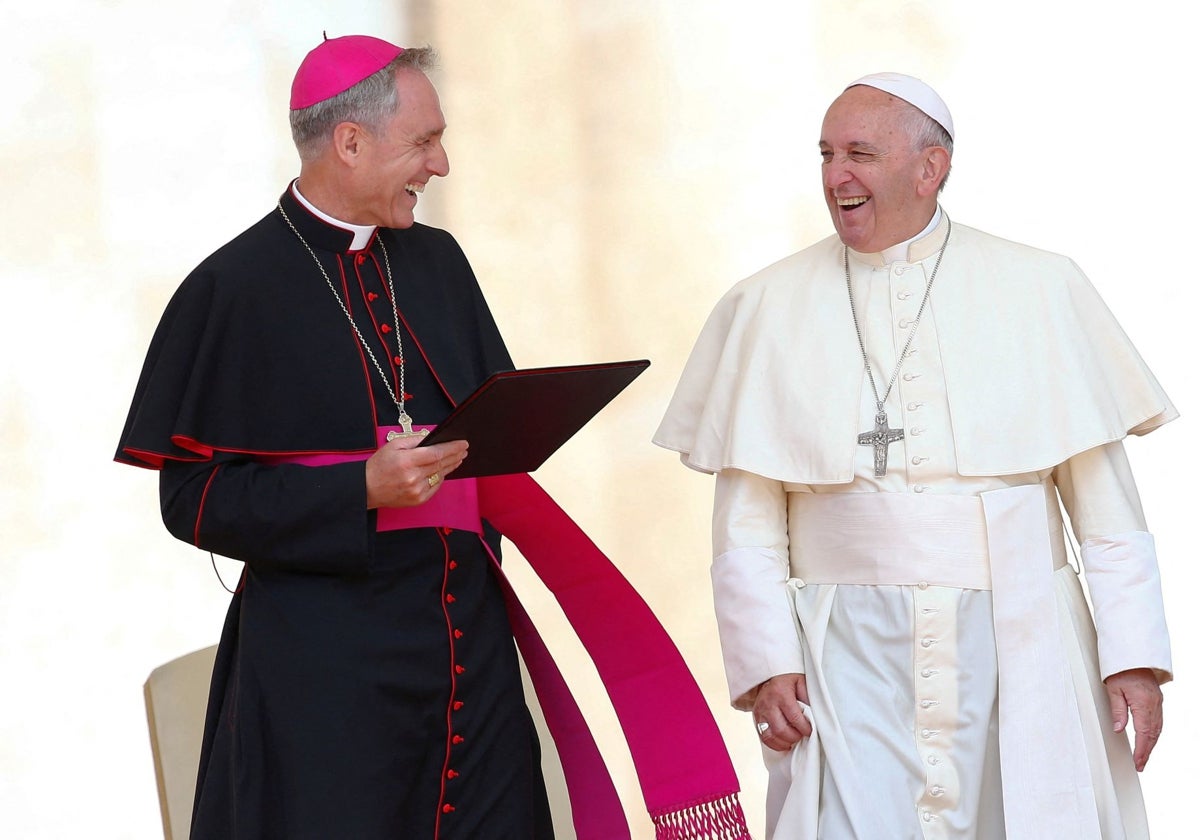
401, 476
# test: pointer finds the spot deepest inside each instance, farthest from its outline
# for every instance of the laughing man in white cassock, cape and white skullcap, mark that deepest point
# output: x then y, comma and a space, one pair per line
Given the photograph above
895, 416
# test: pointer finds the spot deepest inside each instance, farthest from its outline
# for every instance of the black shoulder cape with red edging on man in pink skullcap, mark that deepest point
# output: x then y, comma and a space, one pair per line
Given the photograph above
253, 352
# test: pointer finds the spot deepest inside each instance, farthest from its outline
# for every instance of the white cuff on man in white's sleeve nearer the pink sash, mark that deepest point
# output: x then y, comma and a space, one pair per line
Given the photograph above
755, 621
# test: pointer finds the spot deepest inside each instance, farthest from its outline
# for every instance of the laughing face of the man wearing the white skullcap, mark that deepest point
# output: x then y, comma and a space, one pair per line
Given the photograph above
880, 190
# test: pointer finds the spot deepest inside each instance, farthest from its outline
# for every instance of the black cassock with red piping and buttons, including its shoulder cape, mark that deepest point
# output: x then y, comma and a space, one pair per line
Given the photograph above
367, 685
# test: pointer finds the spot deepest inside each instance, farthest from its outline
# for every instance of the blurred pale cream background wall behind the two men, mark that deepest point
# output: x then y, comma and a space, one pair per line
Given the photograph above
616, 166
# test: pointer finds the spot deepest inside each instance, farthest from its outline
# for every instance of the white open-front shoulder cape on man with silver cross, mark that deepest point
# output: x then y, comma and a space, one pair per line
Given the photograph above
773, 386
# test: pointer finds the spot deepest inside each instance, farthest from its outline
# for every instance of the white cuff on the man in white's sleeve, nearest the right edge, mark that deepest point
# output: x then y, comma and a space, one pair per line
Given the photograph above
1127, 599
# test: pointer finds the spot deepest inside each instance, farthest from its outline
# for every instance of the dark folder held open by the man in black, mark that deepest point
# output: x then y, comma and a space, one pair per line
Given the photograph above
517, 419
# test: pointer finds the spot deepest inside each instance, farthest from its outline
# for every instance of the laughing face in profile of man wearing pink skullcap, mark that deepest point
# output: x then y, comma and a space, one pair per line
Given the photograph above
397, 161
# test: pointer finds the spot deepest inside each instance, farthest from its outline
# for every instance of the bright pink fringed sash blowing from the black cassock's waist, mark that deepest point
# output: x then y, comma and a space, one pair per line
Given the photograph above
688, 783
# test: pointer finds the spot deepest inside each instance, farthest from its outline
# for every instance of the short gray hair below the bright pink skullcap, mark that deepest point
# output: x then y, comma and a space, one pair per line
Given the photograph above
371, 103
